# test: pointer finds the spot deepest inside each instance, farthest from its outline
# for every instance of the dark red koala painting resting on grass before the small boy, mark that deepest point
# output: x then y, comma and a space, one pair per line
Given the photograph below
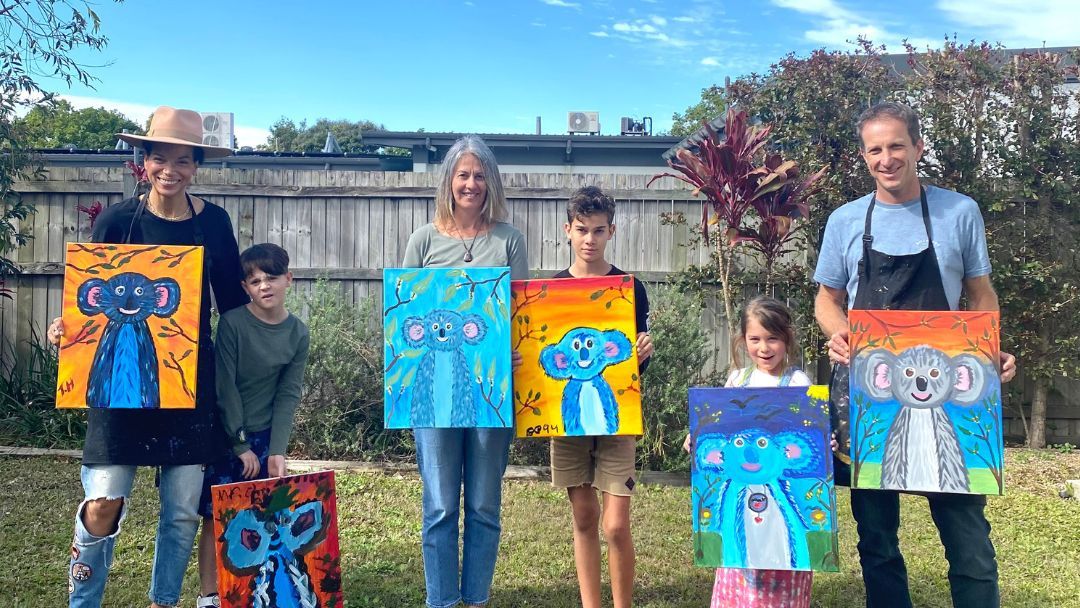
278, 543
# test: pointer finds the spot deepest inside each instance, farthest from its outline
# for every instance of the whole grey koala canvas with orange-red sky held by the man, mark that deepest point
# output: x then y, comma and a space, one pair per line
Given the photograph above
926, 401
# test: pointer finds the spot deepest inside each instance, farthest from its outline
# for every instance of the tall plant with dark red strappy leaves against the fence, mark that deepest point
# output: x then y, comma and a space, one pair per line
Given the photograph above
737, 178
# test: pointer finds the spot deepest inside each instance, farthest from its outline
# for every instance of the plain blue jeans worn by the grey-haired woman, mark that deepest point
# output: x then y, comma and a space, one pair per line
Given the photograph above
450, 461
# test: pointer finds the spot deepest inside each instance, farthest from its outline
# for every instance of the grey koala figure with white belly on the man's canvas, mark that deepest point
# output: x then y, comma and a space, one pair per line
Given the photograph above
923, 450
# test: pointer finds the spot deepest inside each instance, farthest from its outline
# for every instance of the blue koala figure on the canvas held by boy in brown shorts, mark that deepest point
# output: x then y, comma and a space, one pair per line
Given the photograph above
582, 357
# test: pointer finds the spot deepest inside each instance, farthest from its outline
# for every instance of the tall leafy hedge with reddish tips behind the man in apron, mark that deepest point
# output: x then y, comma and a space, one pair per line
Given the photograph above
1000, 128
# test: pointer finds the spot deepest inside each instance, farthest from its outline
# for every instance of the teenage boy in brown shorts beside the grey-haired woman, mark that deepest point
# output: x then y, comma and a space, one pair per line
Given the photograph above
606, 464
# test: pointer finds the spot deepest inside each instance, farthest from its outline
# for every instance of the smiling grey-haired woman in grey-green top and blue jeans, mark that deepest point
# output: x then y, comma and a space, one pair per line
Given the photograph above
469, 231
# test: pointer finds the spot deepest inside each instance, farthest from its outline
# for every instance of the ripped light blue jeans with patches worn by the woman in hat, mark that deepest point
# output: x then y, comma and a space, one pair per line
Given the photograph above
178, 522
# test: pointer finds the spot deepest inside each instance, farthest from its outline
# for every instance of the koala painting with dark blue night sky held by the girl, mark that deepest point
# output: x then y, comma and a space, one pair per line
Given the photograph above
762, 479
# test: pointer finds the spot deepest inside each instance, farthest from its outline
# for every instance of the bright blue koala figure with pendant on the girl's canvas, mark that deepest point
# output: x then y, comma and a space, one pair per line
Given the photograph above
759, 516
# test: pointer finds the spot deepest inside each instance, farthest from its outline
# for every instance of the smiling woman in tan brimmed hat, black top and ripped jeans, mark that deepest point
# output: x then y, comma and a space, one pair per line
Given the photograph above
177, 442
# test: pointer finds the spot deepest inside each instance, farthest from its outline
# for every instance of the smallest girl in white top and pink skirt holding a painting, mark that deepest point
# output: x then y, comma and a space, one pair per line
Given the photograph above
766, 332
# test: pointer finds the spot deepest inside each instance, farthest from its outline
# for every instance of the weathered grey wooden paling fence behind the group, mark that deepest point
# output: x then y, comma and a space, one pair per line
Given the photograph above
348, 226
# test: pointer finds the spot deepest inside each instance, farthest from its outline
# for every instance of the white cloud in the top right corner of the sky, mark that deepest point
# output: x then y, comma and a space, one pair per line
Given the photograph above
1050, 22
